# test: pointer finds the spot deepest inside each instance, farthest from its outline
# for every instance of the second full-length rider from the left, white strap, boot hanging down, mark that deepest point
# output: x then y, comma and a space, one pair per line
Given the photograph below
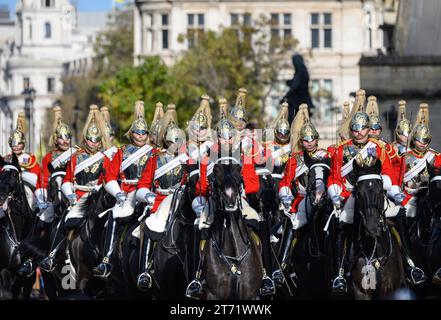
121, 176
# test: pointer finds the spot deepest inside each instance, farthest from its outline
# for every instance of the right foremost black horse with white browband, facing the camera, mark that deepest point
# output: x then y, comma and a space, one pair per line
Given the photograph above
376, 268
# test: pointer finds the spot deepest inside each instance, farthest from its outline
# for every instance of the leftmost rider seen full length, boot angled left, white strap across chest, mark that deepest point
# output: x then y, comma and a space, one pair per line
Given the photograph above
83, 177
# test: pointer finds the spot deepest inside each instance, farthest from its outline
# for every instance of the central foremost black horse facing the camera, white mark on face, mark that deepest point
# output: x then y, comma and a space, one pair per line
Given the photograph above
232, 262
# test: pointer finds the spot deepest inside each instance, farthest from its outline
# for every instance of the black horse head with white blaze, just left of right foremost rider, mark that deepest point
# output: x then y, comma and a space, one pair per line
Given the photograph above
318, 173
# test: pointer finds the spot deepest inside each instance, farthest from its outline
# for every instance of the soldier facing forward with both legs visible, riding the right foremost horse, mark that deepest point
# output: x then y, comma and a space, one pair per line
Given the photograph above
341, 185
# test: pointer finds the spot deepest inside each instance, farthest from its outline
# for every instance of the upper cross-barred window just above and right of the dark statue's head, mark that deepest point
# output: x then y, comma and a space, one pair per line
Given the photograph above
321, 30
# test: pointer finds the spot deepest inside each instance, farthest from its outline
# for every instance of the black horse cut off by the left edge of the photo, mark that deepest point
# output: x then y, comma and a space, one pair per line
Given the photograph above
16, 219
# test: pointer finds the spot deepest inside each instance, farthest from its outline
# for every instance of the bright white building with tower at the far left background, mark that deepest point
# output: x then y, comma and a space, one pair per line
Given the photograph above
33, 61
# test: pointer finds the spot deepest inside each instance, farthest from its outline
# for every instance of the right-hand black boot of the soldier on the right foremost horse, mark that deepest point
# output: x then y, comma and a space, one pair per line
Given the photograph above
413, 274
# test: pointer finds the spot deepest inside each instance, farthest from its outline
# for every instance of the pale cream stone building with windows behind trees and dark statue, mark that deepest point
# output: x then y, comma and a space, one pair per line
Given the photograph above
335, 32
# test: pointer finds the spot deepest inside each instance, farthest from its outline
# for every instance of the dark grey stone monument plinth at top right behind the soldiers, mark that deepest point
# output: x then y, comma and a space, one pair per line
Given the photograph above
411, 70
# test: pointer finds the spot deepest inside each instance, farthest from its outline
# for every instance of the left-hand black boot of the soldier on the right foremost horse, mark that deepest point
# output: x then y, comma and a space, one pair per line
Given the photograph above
339, 284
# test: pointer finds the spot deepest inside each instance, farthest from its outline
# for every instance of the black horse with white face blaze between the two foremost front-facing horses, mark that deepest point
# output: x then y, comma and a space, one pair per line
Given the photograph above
306, 269
